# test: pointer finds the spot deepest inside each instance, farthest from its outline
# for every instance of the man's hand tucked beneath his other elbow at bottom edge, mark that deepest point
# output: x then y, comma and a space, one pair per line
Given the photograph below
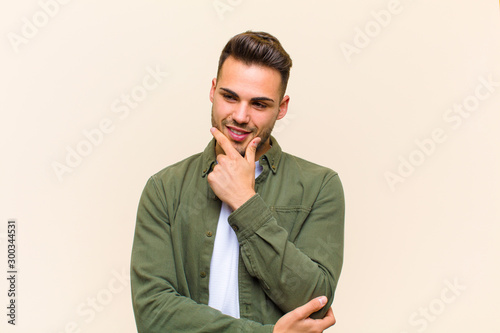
298, 320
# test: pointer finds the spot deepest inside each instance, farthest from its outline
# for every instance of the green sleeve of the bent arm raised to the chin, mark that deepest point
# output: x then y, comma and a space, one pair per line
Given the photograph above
291, 274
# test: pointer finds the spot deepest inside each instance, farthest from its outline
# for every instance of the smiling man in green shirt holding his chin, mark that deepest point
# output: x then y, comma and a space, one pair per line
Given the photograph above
242, 237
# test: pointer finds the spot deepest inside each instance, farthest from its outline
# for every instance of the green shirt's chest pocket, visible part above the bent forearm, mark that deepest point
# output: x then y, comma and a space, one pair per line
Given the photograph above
291, 218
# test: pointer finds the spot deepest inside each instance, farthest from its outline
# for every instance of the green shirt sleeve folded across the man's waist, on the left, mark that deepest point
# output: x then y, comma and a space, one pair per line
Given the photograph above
158, 307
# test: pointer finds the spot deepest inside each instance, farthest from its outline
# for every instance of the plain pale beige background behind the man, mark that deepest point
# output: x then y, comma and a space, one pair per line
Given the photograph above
359, 114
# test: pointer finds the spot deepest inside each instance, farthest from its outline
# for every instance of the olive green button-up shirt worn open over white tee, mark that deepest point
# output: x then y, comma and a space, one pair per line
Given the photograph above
291, 236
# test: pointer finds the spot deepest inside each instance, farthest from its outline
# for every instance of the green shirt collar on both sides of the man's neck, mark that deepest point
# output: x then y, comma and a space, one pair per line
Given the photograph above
270, 160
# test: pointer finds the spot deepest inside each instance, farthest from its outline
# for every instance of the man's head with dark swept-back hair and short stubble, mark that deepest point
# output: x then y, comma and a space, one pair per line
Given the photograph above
248, 94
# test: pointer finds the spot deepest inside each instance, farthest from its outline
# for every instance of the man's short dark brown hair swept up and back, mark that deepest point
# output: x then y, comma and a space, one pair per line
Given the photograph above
261, 48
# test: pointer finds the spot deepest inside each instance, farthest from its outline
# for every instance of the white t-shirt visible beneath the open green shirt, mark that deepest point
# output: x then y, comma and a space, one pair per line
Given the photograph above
223, 284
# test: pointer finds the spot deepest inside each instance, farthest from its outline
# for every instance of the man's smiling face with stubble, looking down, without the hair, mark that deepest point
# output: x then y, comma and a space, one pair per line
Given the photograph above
246, 104
